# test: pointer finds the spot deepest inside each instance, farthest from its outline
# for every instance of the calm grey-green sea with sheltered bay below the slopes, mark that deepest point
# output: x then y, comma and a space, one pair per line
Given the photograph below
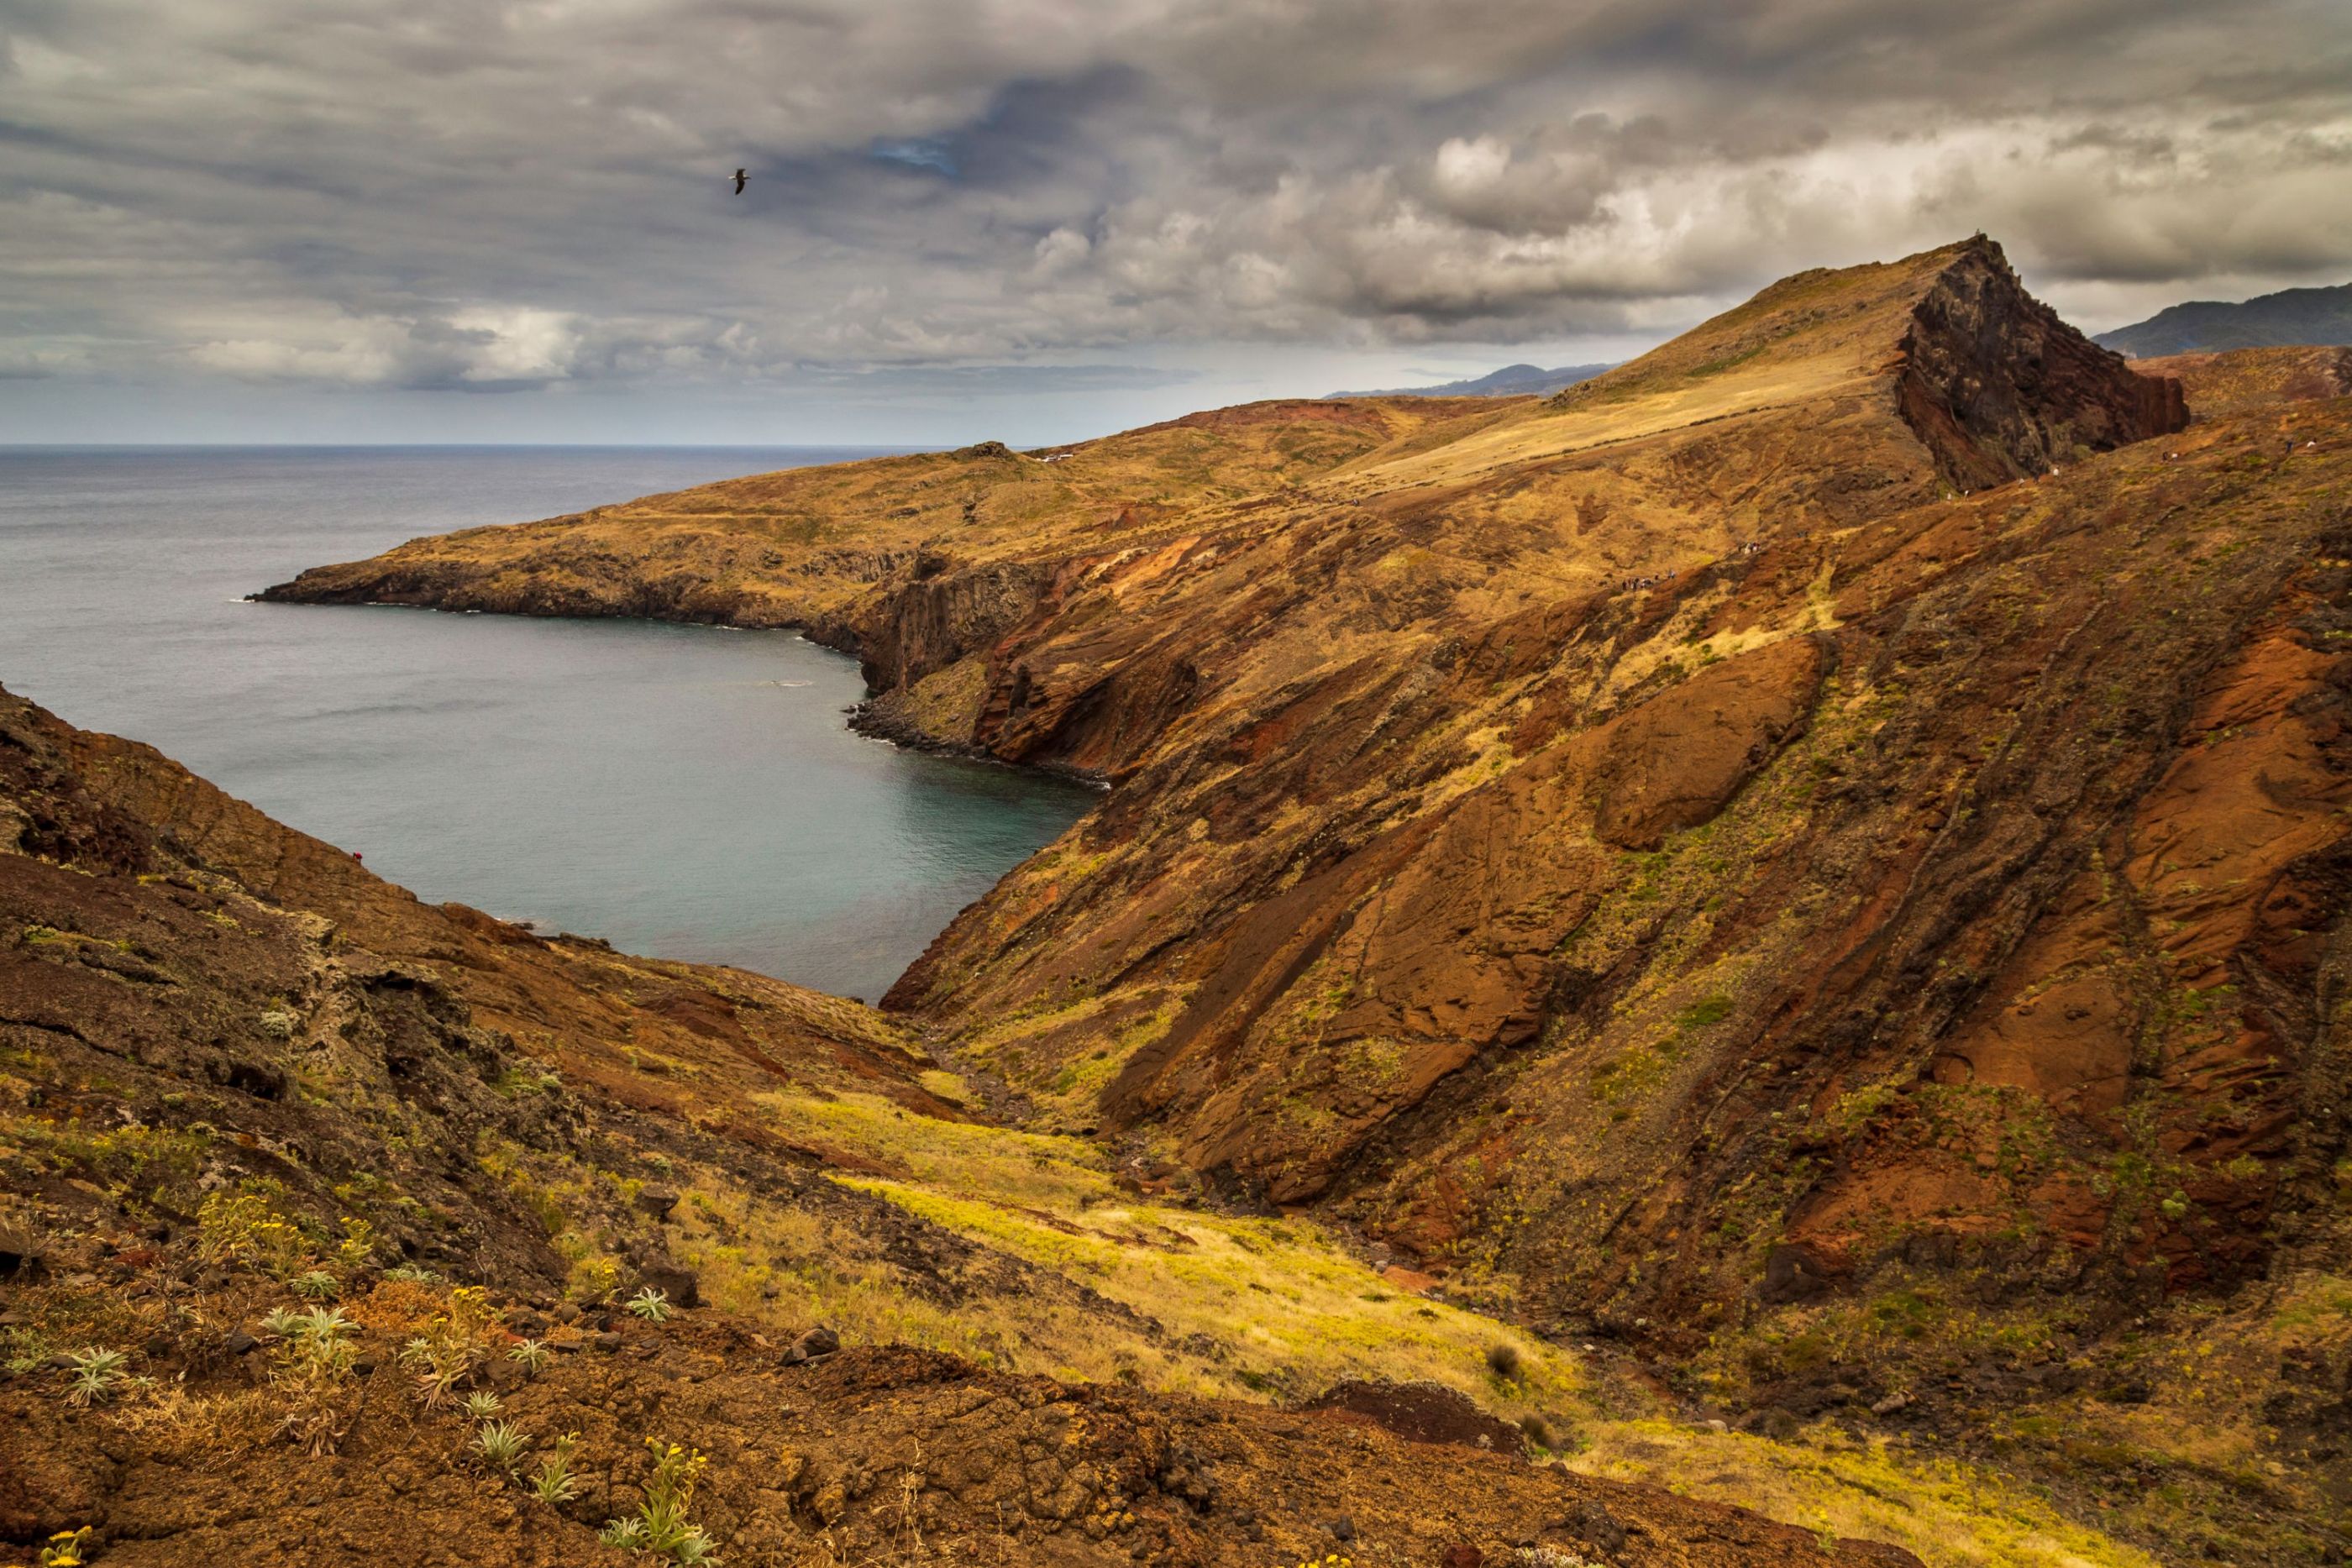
681, 791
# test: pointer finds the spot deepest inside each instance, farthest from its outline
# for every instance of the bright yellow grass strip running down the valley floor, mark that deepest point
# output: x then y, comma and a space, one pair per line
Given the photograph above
1278, 1308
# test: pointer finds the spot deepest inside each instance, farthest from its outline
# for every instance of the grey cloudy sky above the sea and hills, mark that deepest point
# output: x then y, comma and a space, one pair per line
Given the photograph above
1045, 220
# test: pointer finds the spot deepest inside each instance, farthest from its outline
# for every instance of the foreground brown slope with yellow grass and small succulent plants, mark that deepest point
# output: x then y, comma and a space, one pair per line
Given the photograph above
309, 1193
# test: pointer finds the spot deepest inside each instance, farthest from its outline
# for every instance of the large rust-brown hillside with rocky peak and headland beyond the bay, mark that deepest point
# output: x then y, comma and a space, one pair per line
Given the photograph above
1810, 857
